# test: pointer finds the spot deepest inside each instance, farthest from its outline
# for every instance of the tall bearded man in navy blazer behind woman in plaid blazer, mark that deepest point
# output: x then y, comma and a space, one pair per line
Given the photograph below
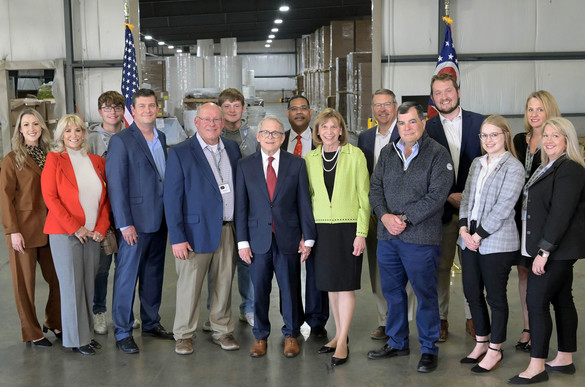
458, 131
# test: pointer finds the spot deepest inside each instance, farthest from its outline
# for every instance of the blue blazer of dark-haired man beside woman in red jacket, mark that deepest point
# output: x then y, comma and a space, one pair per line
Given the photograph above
134, 183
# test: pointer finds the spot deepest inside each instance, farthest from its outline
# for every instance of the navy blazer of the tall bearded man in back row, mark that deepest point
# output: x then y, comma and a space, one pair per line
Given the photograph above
470, 149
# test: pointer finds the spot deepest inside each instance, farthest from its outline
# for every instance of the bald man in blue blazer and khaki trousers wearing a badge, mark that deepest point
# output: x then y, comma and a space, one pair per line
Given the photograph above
199, 208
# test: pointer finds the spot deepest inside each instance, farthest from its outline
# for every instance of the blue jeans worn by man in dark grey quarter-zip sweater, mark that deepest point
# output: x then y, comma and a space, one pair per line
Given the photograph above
399, 263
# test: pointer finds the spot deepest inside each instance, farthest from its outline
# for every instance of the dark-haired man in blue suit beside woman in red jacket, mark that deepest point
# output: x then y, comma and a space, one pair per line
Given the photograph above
135, 167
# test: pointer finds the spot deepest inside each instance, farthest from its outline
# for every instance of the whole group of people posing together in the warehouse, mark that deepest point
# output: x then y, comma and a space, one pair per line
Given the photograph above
413, 194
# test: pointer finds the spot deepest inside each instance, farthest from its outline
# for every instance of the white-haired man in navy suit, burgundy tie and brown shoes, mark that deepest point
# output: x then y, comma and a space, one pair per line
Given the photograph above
274, 223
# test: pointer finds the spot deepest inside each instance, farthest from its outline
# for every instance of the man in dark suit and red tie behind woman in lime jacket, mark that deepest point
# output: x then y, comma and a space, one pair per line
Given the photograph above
299, 141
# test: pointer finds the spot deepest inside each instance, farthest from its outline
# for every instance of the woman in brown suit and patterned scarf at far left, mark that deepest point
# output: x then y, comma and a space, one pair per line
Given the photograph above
23, 217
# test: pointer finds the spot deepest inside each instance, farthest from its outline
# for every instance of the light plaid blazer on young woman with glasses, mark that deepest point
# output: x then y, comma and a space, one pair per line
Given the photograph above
495, 223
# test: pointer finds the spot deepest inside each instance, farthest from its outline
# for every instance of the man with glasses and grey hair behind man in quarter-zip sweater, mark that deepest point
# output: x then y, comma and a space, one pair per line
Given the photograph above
371, 142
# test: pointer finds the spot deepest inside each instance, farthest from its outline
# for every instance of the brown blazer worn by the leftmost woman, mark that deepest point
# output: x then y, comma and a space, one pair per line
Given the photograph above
21, 201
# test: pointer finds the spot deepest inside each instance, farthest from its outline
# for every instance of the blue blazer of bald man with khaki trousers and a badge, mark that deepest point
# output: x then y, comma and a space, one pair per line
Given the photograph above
193, 202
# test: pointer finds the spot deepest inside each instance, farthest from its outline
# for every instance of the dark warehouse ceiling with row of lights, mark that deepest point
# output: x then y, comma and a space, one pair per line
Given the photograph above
183, 22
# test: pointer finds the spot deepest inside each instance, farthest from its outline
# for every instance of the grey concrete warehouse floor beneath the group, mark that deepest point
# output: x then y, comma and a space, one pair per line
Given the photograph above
157, 364
